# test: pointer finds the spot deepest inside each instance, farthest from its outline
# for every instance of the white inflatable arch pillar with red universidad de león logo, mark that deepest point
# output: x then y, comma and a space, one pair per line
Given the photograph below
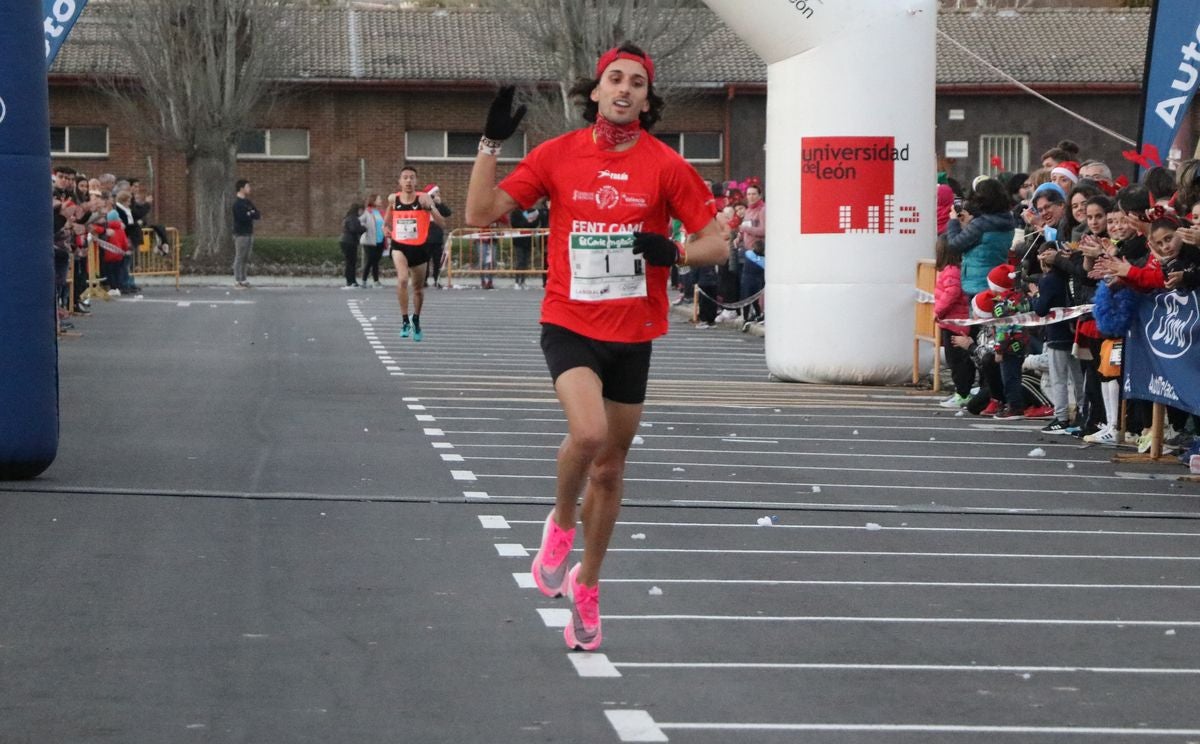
850, 181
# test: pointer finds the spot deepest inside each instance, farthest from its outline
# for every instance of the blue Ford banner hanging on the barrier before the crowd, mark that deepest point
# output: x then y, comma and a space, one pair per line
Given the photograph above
1162, 351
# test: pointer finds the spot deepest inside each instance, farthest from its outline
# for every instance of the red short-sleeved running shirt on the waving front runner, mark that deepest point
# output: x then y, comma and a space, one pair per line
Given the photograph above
595, 191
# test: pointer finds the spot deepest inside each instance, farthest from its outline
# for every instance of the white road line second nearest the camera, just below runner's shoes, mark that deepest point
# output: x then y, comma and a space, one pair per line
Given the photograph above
899, 668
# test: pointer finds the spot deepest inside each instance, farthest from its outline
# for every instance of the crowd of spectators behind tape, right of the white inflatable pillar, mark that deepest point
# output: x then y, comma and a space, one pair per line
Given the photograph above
1064, 237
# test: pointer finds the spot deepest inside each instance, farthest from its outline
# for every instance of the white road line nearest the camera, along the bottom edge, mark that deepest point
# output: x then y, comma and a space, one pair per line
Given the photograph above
929, 729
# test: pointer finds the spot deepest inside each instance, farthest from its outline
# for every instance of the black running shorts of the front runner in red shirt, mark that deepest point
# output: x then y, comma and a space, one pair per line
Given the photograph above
622, 368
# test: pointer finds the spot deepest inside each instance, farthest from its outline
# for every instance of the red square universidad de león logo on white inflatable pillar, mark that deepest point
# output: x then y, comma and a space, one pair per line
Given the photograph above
848, 184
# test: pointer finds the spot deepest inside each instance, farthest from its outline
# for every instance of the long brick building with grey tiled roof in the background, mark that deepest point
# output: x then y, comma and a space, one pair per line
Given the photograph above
371, 89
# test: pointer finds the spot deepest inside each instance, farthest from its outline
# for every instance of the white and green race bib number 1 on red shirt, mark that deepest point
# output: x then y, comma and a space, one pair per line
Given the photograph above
604, 267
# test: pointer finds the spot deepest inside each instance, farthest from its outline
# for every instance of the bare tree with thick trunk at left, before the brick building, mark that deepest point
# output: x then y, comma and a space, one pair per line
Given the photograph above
199, 73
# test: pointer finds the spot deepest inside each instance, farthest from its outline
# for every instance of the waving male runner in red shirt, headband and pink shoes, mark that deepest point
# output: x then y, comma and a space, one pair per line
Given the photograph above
615, 189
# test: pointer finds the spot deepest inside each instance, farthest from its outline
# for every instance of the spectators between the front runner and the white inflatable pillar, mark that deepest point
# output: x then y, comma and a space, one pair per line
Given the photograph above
731, 292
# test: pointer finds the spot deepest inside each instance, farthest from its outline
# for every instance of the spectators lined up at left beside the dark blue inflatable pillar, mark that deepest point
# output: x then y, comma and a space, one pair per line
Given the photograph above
104, 211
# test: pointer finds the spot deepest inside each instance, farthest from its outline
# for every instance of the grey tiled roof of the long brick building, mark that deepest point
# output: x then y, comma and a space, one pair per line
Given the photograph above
1054, 46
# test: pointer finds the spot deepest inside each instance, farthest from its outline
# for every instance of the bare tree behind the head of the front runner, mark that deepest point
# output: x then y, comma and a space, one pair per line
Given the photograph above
574, 33
